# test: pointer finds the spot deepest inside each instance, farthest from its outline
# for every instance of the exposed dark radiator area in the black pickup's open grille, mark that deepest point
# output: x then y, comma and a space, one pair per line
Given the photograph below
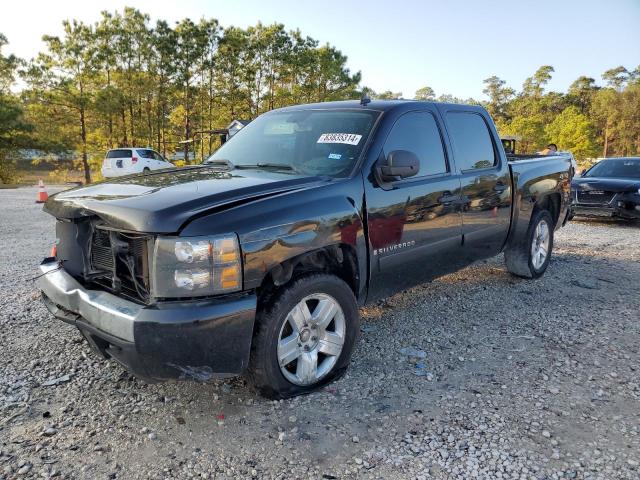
119, 263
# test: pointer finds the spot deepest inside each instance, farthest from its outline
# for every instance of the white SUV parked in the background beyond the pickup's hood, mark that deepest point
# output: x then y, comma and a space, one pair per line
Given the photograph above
127, 161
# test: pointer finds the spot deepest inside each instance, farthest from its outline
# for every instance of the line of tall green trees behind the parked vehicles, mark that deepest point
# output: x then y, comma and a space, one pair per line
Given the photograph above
123, 81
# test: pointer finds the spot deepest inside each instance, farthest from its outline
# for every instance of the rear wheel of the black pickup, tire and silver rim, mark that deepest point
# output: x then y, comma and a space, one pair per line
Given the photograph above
521, 260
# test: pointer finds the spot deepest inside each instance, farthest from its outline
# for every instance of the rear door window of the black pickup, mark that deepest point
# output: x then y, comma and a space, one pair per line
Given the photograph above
471, 140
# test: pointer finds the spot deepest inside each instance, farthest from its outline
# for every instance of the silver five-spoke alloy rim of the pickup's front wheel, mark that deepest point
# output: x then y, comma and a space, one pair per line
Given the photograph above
311, 339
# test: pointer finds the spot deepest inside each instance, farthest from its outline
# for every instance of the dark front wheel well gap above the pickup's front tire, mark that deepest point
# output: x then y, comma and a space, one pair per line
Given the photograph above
338, 260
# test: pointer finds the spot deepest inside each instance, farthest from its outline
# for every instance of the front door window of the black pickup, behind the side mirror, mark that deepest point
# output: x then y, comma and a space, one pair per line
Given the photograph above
418, 133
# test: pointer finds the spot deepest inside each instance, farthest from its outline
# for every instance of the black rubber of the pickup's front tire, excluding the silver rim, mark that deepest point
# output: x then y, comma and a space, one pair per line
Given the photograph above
266, 369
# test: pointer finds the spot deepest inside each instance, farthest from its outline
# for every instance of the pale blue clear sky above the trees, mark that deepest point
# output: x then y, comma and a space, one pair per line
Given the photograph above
400, 45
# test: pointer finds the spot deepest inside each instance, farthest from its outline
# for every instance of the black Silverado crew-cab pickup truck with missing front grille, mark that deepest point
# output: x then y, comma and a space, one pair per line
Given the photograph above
256, 261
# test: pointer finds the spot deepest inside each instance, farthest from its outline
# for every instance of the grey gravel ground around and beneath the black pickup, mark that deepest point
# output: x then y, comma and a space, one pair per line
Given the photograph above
519, 379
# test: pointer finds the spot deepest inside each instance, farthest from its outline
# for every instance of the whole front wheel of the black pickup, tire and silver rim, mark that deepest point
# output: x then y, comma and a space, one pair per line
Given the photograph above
284, 329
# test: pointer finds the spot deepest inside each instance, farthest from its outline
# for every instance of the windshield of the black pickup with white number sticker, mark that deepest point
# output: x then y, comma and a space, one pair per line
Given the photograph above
306, 142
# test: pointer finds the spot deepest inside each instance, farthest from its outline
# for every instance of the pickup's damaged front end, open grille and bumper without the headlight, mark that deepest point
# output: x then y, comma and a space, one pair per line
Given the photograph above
99, 281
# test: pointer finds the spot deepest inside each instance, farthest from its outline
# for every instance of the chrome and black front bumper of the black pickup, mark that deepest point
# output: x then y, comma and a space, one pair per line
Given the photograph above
196, 339
